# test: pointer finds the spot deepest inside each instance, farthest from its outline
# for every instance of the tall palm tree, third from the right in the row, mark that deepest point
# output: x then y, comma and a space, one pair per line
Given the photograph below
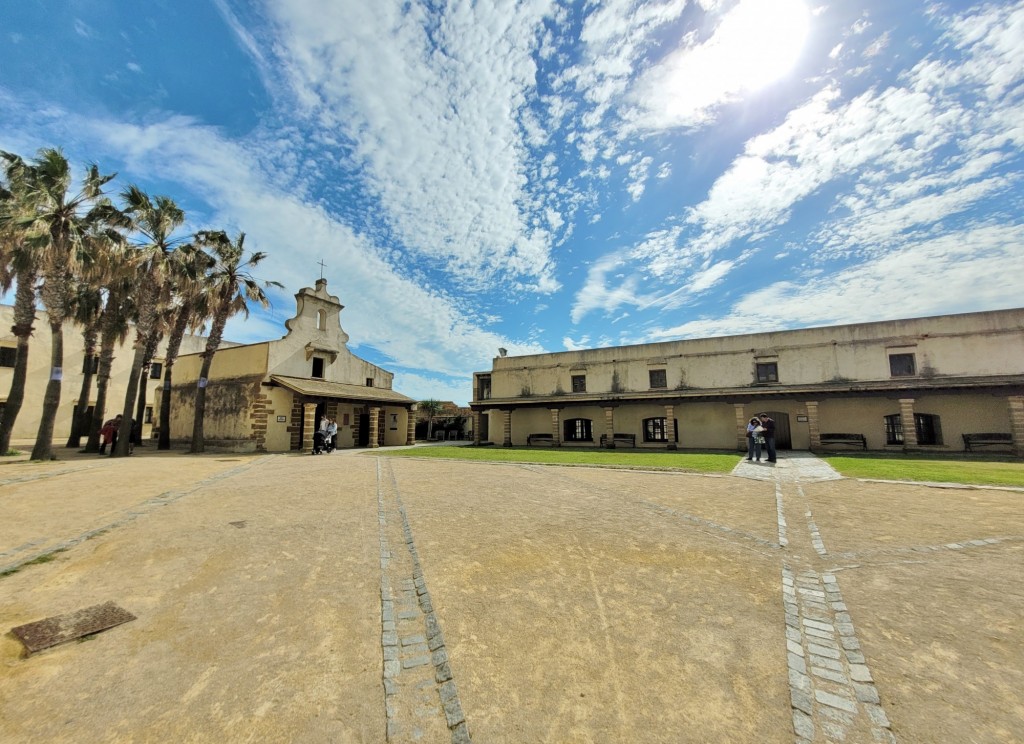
155, 221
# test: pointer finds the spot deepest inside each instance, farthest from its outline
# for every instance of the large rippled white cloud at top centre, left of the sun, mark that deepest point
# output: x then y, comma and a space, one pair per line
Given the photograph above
435, 122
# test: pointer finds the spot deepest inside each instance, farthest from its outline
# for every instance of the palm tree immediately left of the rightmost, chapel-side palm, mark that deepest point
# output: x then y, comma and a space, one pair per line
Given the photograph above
191, 315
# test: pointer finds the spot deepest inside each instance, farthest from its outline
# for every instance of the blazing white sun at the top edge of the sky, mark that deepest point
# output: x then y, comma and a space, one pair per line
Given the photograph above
759, 41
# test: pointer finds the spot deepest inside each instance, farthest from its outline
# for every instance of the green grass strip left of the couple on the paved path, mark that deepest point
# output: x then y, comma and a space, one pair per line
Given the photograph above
663, 460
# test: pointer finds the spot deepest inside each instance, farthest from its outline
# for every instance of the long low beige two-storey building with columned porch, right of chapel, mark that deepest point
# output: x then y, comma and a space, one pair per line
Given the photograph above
941, 384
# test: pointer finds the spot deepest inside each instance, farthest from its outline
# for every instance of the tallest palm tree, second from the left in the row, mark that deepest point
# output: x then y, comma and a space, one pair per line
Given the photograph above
57, 224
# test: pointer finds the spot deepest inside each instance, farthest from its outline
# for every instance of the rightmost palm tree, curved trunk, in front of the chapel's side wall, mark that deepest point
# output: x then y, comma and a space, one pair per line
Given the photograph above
232, 287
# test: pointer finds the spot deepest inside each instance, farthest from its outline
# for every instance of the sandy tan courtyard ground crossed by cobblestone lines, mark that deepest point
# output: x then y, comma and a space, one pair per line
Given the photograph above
353, 598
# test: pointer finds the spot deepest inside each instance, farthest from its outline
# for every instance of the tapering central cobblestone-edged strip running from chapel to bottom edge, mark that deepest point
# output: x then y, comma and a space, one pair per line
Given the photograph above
420, 695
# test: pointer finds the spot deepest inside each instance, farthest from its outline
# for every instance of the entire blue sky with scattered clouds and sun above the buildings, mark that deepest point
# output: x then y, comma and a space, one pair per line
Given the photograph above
543, 176
